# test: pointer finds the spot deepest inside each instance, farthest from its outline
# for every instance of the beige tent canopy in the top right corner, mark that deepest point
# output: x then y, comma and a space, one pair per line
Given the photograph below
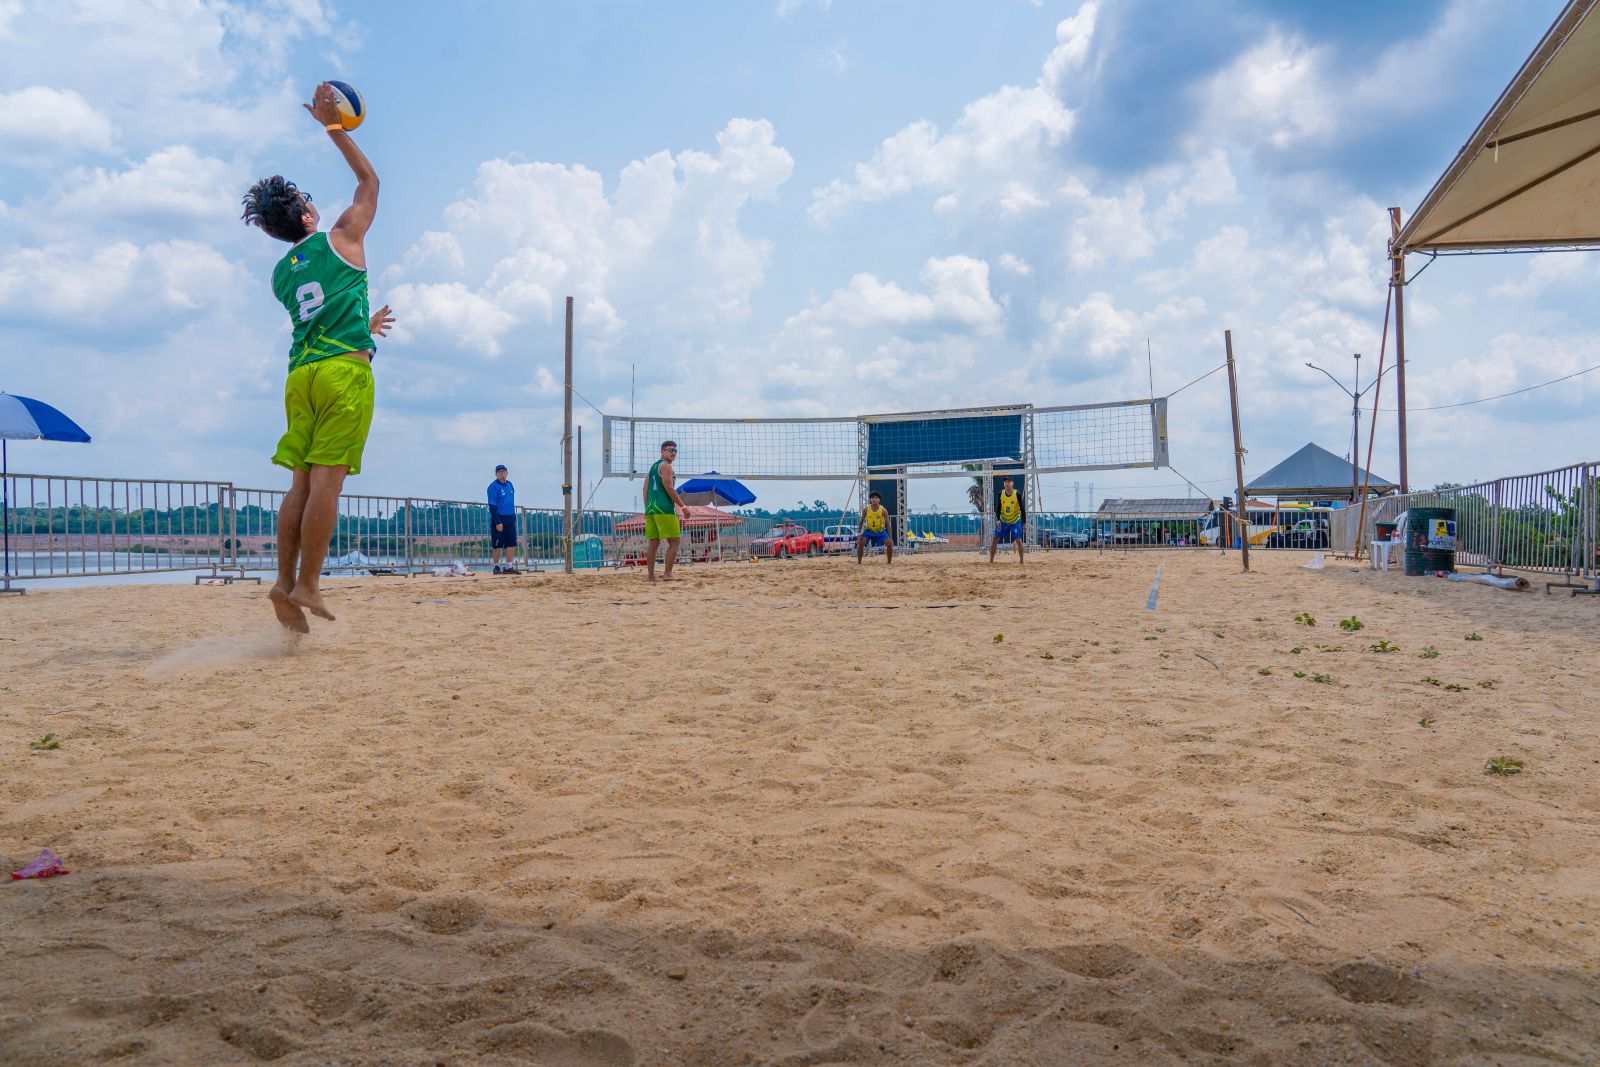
1530, 174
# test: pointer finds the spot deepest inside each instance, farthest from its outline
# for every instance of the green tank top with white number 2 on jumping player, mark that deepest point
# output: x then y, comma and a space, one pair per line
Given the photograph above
327, 302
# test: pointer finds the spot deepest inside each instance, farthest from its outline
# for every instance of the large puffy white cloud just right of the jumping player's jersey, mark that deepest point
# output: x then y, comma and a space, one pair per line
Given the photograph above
665, 249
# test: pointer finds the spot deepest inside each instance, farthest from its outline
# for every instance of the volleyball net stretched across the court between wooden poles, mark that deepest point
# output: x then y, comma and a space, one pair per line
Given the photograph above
1020, 439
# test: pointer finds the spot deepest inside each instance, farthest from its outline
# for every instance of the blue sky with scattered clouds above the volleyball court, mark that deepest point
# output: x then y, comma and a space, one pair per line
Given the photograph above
794, 207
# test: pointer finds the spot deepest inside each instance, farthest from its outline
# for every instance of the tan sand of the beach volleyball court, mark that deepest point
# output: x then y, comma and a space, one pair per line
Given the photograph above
807, 813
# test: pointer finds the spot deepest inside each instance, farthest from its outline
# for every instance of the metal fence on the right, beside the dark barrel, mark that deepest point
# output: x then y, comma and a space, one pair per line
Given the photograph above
1537, 522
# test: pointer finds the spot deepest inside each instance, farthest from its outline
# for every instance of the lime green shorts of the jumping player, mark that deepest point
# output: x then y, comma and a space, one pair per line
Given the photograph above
330, 409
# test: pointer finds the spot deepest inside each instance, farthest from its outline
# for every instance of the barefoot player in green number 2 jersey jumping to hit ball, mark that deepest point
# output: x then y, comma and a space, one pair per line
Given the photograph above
329, 394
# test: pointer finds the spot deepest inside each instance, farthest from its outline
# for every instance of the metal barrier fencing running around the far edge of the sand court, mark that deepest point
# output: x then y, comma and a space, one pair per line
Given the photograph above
65, 527
